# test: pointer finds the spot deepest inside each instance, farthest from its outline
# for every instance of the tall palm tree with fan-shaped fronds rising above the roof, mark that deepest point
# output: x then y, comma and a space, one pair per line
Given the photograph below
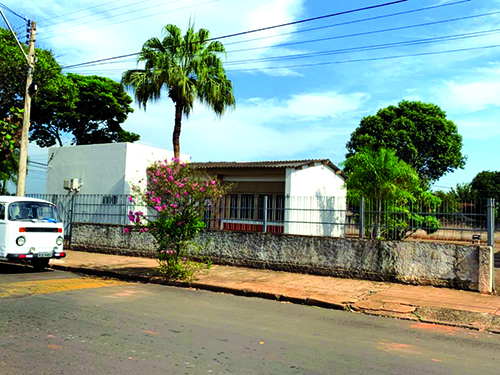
188, 67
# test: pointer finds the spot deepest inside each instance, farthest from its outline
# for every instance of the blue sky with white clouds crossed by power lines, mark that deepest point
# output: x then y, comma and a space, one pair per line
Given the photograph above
291, 105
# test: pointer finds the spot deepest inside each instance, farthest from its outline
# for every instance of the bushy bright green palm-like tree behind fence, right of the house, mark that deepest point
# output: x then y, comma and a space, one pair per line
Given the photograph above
390, 186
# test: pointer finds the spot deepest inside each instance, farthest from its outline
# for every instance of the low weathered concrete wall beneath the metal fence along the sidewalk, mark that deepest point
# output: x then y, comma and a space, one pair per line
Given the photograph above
424, 263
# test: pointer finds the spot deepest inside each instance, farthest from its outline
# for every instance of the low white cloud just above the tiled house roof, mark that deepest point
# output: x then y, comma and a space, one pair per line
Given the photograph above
258, 128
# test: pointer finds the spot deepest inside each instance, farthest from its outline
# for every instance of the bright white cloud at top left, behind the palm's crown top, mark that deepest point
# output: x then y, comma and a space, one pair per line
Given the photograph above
220, 17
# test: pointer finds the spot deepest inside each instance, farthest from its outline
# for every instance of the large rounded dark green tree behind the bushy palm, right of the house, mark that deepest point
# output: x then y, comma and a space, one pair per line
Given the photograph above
419, 132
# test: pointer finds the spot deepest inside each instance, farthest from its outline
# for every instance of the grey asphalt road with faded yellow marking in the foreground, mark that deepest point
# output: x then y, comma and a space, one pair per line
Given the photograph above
60, 323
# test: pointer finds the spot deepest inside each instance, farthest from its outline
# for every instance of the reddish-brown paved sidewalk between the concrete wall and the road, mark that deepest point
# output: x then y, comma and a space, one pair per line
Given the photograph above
419, 303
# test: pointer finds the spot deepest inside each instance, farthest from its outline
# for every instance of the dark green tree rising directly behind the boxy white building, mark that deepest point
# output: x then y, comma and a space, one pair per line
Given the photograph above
95, 116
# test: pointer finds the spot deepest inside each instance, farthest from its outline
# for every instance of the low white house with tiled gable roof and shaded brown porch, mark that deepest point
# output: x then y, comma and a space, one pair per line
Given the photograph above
303, 197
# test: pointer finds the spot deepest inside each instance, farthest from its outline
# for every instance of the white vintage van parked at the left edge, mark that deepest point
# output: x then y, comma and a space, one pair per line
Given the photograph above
30, 230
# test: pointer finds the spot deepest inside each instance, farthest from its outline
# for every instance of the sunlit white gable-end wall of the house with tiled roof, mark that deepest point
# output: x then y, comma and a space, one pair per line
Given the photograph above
315, 201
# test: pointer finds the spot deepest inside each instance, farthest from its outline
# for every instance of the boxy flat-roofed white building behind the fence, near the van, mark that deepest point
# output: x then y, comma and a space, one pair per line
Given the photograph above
91, 183
